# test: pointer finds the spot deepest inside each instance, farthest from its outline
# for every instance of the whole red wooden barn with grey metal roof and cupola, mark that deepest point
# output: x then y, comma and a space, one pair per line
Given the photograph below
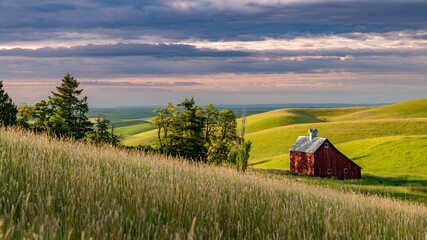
318, 157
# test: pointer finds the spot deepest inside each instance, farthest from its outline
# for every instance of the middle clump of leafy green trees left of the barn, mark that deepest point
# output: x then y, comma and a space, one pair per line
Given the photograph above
201, 134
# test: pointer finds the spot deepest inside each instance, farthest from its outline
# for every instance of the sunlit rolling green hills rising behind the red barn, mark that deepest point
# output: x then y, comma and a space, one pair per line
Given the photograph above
350, 129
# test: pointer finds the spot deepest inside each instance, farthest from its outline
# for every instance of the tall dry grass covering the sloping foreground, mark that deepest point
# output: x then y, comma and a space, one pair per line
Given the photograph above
63, 189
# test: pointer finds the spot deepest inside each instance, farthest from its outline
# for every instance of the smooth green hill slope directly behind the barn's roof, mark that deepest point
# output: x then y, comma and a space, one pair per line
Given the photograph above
274, 142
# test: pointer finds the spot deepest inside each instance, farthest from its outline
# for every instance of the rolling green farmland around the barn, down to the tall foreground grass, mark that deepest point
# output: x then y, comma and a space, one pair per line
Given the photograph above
389, 142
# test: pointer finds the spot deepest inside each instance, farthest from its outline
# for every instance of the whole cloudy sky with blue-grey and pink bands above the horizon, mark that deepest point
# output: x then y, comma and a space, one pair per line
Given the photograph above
141, 53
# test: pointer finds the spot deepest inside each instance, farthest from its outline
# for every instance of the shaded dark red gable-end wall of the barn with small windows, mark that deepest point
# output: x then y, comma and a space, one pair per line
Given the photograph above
331, 158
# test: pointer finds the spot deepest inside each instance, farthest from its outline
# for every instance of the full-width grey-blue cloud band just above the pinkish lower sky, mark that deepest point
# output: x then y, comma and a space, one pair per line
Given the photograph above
123, 67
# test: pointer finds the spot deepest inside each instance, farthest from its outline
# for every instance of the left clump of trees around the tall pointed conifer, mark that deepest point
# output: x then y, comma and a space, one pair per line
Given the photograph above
64, 115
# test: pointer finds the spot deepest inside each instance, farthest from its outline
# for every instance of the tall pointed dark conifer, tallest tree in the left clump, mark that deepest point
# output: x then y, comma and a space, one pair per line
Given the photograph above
71, 108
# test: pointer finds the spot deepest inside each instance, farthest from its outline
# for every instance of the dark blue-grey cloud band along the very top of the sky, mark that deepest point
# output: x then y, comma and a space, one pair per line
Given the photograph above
133, 19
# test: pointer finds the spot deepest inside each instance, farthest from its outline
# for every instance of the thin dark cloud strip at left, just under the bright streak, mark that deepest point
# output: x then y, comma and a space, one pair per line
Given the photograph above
122, 50
